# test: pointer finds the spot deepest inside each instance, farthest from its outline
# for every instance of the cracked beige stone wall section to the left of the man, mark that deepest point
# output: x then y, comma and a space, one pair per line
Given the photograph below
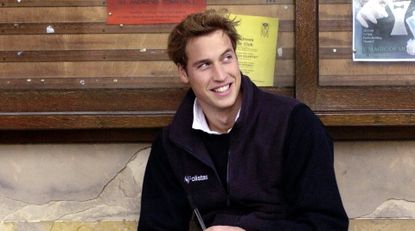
71, 187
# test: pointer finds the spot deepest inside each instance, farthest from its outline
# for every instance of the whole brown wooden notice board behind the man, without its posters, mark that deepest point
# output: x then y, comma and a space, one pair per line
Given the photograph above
89, 76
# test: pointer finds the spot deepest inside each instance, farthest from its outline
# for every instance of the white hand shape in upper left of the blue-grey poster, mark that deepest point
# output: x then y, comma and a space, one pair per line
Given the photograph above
371, 11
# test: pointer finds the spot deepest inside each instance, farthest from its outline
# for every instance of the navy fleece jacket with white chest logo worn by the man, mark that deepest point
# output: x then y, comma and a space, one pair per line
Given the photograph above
279, 171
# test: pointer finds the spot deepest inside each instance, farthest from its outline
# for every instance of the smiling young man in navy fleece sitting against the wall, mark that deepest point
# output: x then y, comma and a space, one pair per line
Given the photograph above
245, 159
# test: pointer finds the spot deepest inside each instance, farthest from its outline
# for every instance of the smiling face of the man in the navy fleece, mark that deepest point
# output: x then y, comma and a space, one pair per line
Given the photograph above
213, 71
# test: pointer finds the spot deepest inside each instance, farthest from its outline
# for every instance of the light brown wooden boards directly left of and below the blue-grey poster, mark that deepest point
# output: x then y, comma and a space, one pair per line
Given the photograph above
335, 48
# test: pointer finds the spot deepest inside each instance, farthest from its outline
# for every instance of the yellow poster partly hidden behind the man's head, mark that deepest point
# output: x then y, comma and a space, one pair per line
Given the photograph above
257, 48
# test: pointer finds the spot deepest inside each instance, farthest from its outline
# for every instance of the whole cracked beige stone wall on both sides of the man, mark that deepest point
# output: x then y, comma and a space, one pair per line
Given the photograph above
97, 186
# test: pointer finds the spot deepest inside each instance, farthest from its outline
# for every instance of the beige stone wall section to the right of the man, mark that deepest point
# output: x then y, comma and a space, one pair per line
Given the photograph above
377, 183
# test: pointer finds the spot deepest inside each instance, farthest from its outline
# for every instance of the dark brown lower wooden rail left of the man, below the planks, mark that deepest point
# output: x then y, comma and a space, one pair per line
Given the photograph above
88, 109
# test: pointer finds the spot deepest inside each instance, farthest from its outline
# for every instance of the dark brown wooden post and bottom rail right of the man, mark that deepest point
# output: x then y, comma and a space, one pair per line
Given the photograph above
379, 106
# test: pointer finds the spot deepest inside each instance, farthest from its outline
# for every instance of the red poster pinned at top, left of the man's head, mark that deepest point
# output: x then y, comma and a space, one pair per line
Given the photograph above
151, 11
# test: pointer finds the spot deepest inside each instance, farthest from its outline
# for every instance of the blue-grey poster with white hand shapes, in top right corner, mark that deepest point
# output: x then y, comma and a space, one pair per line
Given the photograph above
383, 30
